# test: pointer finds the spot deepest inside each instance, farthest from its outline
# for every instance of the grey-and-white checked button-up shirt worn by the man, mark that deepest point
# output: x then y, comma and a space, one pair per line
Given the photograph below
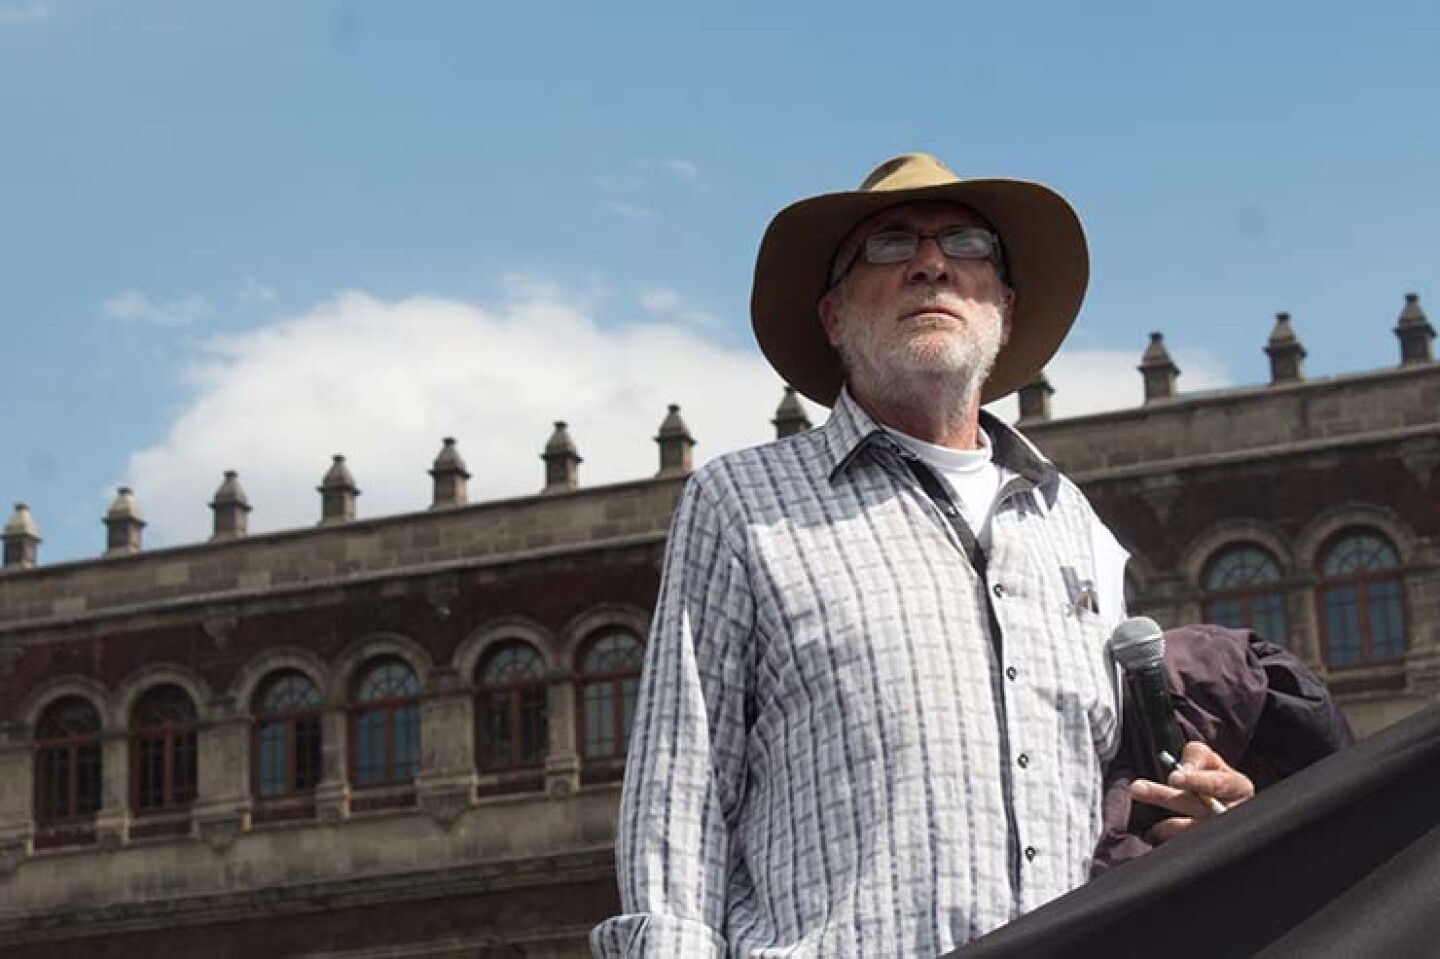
860, 734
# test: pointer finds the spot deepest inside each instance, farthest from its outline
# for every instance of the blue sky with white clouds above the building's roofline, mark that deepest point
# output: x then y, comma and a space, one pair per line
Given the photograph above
253, 235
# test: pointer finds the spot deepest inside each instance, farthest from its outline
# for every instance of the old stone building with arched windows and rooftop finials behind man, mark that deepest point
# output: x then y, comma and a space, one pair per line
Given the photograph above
404, 737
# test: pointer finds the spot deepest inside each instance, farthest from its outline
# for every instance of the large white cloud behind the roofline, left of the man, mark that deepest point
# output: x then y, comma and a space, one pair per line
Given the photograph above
382, 382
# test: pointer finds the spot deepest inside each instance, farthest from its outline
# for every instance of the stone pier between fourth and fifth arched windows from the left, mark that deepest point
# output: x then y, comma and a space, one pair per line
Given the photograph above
446, 787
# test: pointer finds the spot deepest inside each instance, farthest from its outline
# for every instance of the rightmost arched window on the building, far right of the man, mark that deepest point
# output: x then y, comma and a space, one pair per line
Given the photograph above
1362, 600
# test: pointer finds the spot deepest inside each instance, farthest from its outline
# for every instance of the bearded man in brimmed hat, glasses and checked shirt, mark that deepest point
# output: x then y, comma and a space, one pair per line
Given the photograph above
878, 708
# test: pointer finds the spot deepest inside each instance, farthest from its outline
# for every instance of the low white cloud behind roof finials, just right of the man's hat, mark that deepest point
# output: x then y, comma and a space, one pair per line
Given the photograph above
1098, 381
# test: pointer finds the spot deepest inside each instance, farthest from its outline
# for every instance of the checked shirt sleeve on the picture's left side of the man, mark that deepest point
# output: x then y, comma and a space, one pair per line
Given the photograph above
686, 764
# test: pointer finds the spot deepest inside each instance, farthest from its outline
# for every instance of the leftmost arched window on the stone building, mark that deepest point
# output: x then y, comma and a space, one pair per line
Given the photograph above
67, 761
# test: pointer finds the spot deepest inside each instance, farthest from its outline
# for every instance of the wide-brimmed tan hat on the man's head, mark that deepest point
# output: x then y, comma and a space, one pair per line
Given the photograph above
1046, 260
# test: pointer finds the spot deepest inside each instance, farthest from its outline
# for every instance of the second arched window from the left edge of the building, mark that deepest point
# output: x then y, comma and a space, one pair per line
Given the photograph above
163, 751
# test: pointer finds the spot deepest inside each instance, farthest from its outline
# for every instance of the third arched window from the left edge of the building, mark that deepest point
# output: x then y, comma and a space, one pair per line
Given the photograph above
287, 735
